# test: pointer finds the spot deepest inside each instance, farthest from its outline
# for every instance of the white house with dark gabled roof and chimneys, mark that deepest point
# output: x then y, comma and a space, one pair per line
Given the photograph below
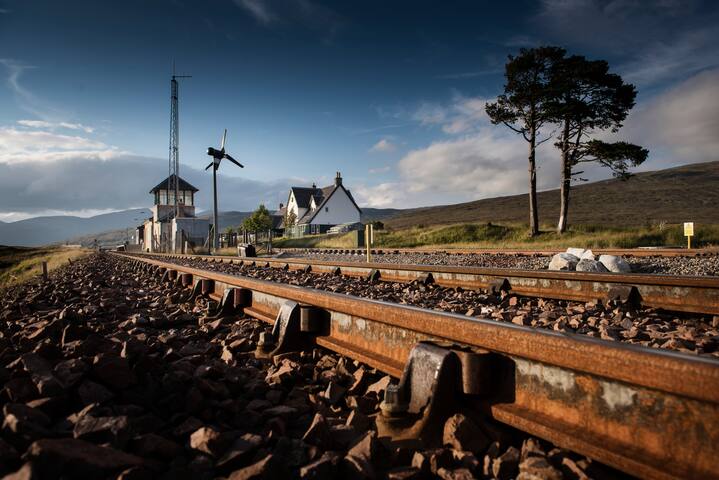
315, 210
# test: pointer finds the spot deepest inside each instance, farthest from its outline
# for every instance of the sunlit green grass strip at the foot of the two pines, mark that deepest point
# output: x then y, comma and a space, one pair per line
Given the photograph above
489, 235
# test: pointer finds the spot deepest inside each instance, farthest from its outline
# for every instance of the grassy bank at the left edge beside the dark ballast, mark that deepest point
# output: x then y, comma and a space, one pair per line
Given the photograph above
19, 264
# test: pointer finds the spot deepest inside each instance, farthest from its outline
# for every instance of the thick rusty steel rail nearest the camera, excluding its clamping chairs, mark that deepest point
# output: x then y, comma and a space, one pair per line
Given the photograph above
654, 414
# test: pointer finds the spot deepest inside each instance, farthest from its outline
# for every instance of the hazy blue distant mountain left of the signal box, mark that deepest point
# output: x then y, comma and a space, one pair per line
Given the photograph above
57, 229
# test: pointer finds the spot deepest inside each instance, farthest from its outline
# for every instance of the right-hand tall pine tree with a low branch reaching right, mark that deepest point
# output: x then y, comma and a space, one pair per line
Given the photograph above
587, 99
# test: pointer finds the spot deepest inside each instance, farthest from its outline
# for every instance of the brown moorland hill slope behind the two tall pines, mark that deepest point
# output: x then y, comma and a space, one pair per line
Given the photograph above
686, 193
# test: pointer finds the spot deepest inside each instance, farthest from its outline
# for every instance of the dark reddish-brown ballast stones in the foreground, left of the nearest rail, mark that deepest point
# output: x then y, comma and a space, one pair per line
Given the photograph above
106, 373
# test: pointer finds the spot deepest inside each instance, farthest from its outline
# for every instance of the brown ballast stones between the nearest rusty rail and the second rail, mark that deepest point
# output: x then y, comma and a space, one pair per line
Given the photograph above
689, 333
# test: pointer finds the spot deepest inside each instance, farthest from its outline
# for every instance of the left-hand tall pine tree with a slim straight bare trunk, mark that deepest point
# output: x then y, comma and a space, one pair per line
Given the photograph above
522, 107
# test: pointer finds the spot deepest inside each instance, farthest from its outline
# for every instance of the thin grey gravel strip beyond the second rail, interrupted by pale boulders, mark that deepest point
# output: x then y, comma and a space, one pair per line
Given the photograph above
708, 265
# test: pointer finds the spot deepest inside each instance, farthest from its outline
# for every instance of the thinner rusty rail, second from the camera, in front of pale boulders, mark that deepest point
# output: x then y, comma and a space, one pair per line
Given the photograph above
691, 294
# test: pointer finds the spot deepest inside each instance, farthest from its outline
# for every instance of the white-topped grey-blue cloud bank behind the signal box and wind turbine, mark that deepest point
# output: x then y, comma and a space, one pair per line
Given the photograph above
43, 171
